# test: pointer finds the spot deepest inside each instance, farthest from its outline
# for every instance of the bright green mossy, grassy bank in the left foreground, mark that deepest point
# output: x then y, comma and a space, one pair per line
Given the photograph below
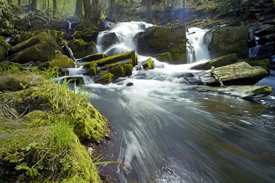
42, 125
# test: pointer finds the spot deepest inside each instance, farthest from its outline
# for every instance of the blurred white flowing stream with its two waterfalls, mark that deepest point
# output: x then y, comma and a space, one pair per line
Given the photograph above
164, 133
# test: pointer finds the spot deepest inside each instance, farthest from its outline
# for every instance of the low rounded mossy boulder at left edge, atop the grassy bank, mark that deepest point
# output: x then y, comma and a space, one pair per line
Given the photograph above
15, 82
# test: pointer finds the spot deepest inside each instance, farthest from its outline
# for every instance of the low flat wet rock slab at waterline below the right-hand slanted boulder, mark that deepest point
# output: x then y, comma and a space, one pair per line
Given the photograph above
245, 92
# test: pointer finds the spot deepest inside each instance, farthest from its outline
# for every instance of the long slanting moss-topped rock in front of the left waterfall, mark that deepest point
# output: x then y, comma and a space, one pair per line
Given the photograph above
118, 58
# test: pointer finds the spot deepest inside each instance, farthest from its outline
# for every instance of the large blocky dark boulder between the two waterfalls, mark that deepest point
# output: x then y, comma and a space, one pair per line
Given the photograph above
158, 40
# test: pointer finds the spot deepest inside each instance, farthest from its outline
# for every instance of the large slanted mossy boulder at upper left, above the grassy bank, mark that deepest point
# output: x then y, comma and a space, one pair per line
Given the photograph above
41, 47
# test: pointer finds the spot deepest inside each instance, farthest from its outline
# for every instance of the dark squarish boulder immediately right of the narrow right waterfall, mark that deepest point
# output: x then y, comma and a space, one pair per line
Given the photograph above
227, 40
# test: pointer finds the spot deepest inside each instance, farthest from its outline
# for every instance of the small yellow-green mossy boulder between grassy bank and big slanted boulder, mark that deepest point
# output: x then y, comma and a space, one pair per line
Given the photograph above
60, 62
